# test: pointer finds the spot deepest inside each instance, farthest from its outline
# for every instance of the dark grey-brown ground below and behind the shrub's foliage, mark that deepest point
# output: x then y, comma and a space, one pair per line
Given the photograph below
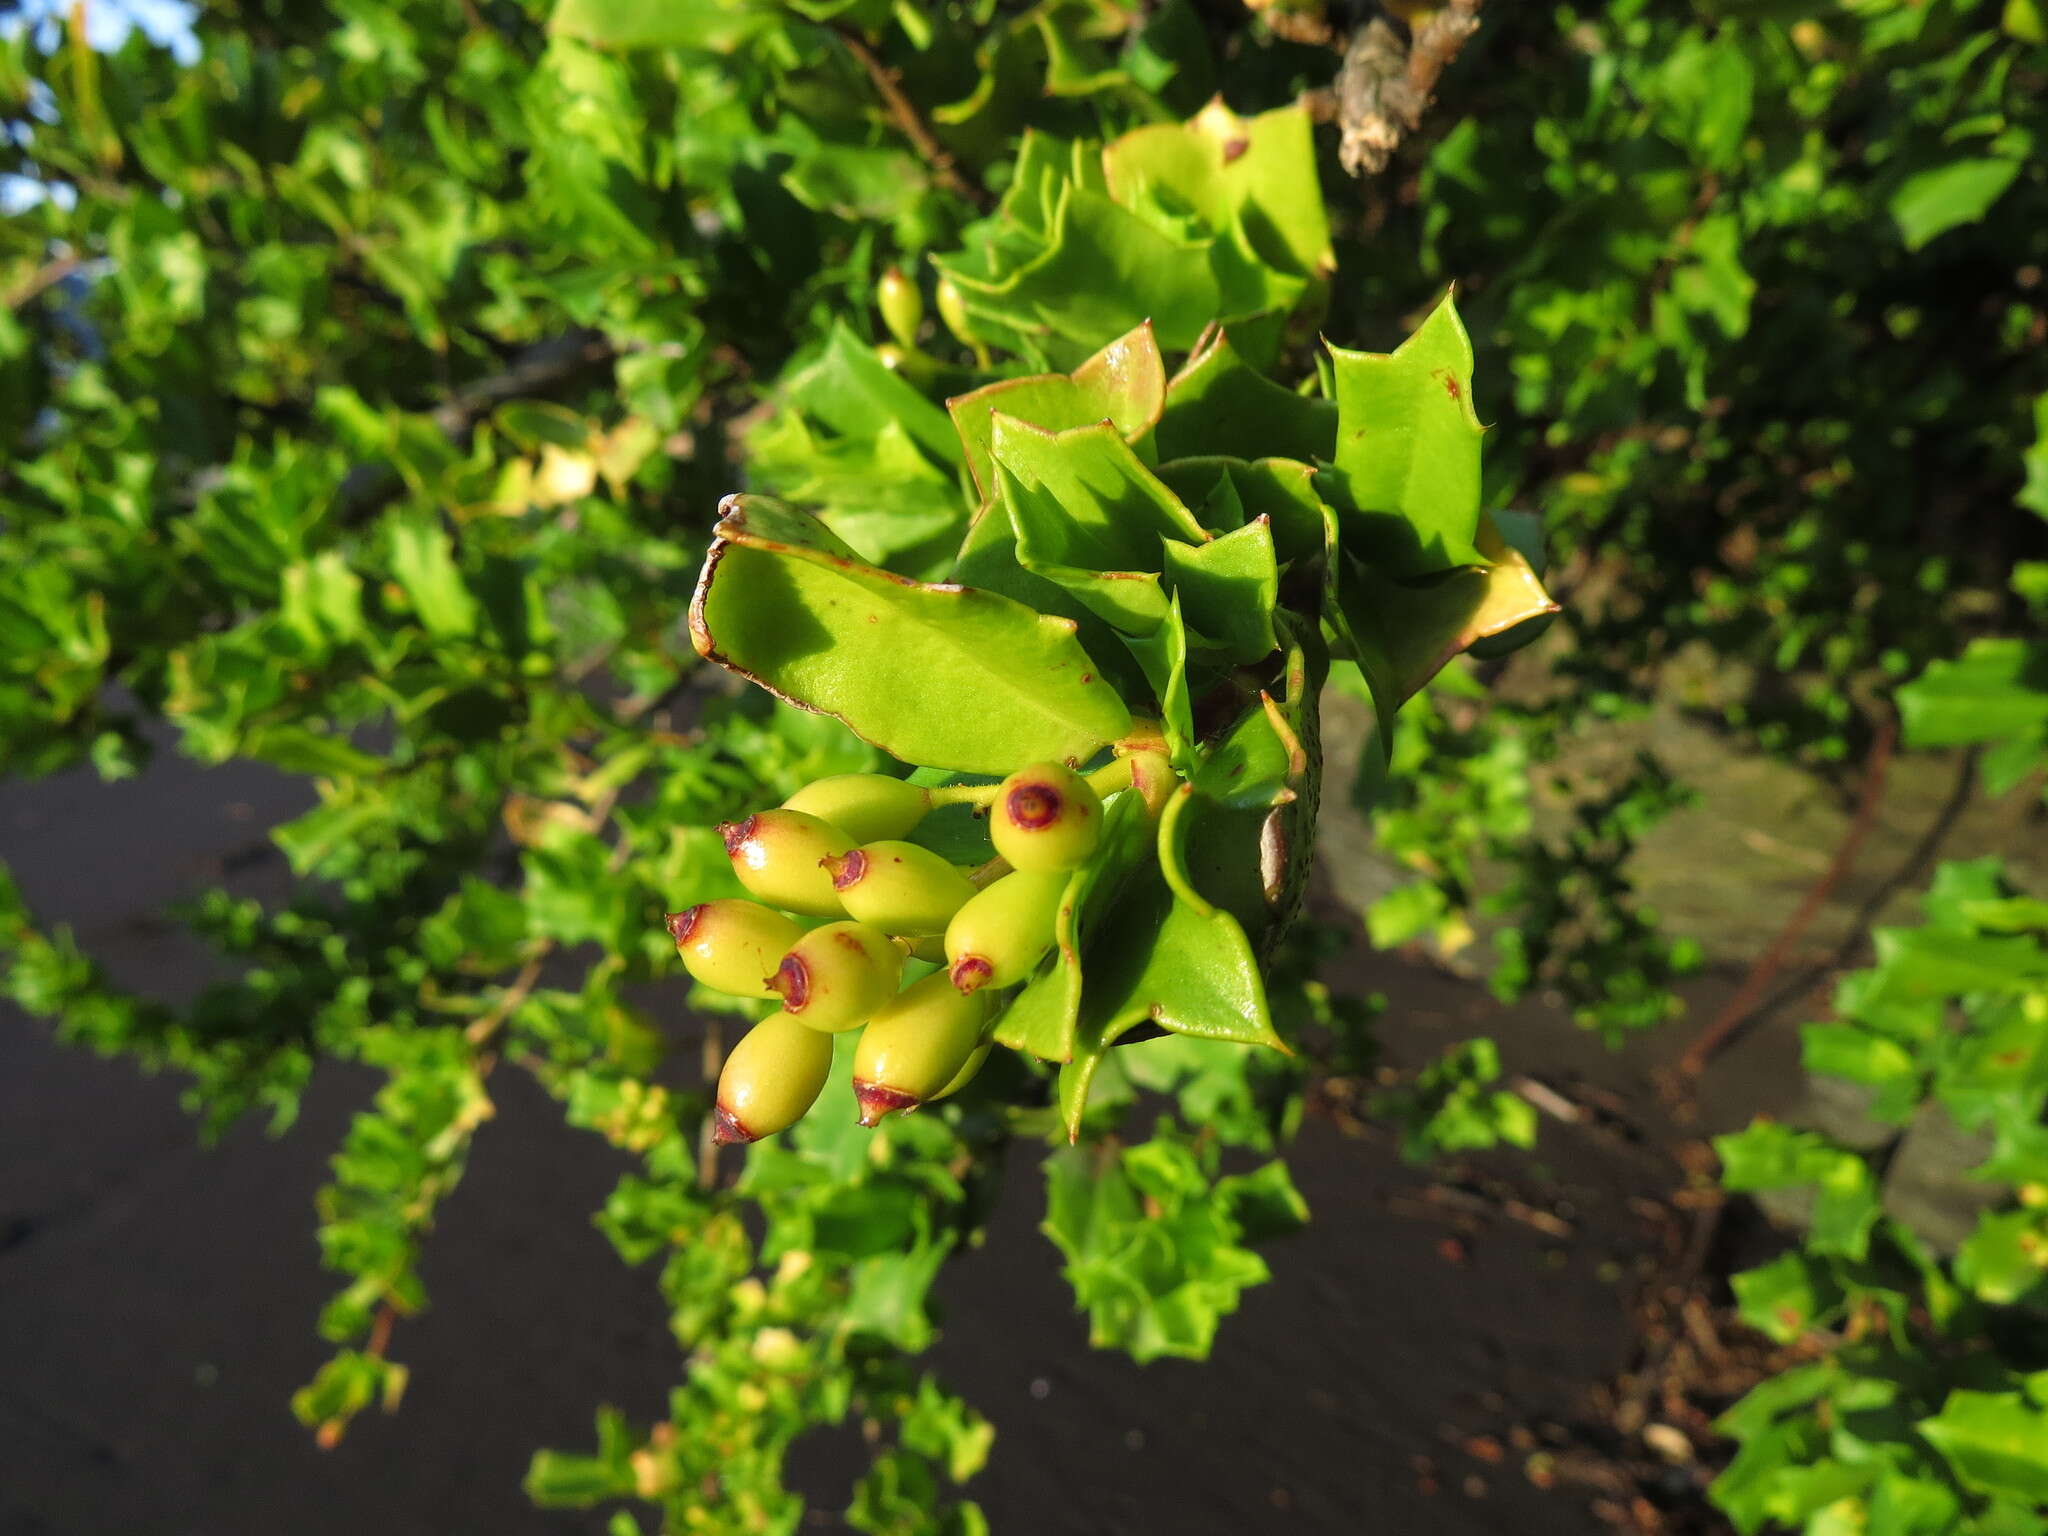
1428, 1336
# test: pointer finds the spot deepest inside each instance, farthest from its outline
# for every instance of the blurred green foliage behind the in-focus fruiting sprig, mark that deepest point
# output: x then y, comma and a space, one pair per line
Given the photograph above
372, 374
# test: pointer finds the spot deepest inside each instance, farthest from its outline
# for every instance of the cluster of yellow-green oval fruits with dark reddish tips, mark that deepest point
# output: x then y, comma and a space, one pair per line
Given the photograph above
896, 910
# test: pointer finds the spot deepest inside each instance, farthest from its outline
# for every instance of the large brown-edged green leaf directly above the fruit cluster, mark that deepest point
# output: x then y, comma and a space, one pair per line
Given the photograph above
933, 675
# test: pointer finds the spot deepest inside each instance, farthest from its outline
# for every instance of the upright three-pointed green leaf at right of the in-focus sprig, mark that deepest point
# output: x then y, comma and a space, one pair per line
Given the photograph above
1406, 474
